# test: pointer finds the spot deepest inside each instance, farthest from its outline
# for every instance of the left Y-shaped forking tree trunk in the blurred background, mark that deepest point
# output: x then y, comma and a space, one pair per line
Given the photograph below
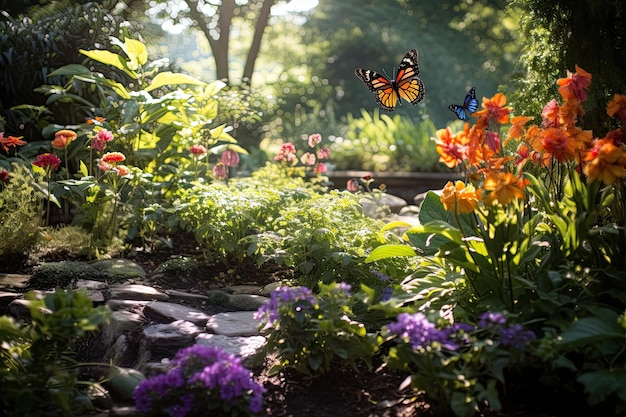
219, 44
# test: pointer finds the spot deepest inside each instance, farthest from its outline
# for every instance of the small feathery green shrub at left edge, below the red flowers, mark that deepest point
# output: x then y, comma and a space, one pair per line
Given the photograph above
20, 210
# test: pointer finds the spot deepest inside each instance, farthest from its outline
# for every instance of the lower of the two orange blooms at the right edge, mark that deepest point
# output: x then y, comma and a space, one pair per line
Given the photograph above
606, 162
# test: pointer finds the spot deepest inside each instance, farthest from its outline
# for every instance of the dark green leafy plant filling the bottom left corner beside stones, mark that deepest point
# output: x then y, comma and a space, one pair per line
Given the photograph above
38, 375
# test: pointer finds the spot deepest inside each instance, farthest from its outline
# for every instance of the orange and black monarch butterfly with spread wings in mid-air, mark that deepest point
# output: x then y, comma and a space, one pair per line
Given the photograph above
405, 85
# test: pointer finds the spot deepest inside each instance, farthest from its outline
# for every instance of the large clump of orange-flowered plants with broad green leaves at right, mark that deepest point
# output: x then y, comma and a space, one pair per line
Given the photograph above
538, 234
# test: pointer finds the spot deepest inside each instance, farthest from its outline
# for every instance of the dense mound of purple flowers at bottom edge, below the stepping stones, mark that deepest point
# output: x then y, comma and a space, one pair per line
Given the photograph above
200, 376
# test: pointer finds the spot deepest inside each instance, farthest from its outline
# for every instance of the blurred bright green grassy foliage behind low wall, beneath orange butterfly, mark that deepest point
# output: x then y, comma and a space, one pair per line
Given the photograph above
383, 143
